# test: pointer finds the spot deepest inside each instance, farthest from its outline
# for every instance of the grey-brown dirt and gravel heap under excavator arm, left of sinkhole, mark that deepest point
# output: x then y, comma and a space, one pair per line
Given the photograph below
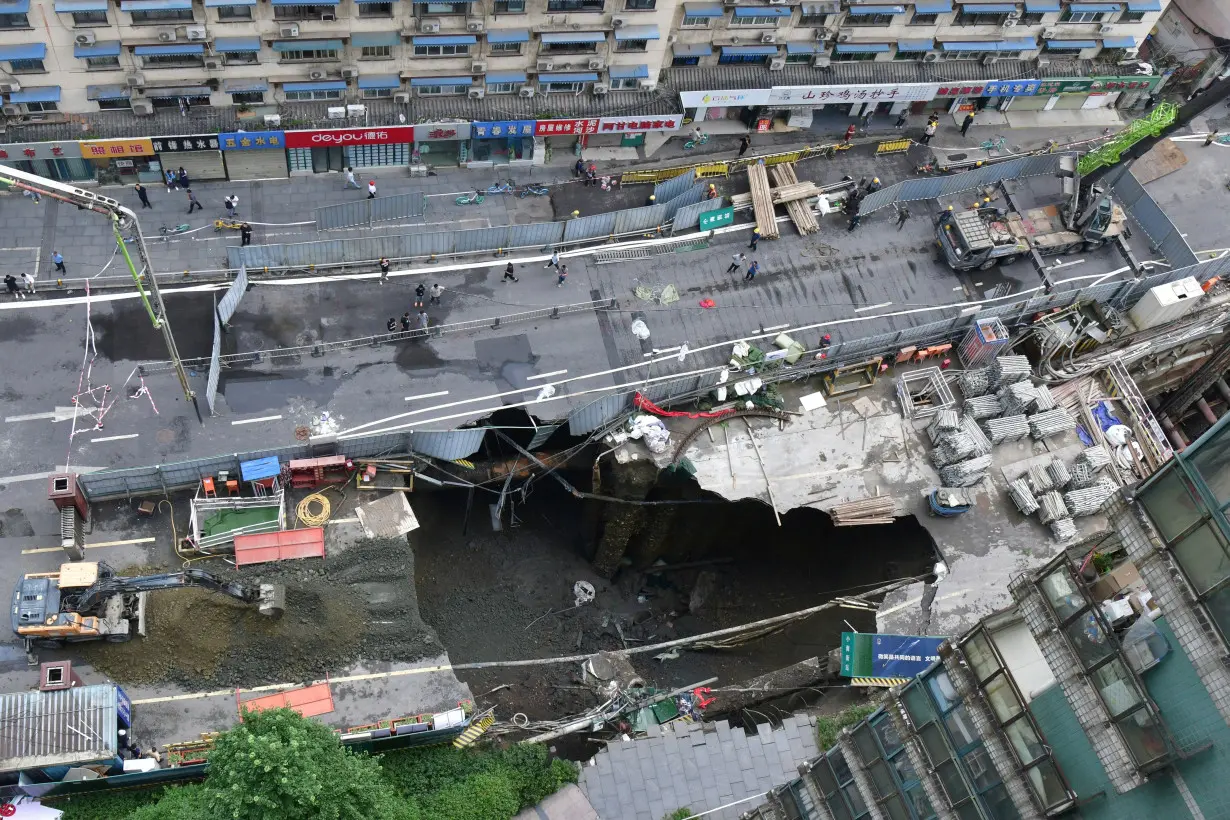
357, 604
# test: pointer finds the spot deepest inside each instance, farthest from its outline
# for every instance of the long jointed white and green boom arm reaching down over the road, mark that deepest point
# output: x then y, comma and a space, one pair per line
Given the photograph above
122, 219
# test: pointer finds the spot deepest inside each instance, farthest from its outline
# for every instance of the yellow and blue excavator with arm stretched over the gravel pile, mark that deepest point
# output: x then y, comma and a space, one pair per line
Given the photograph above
88, 602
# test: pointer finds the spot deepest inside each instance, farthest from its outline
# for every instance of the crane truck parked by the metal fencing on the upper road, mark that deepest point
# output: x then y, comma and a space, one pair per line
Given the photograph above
978, 239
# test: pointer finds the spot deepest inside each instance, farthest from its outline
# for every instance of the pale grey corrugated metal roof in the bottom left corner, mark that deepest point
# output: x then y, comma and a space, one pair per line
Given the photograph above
62, 728
